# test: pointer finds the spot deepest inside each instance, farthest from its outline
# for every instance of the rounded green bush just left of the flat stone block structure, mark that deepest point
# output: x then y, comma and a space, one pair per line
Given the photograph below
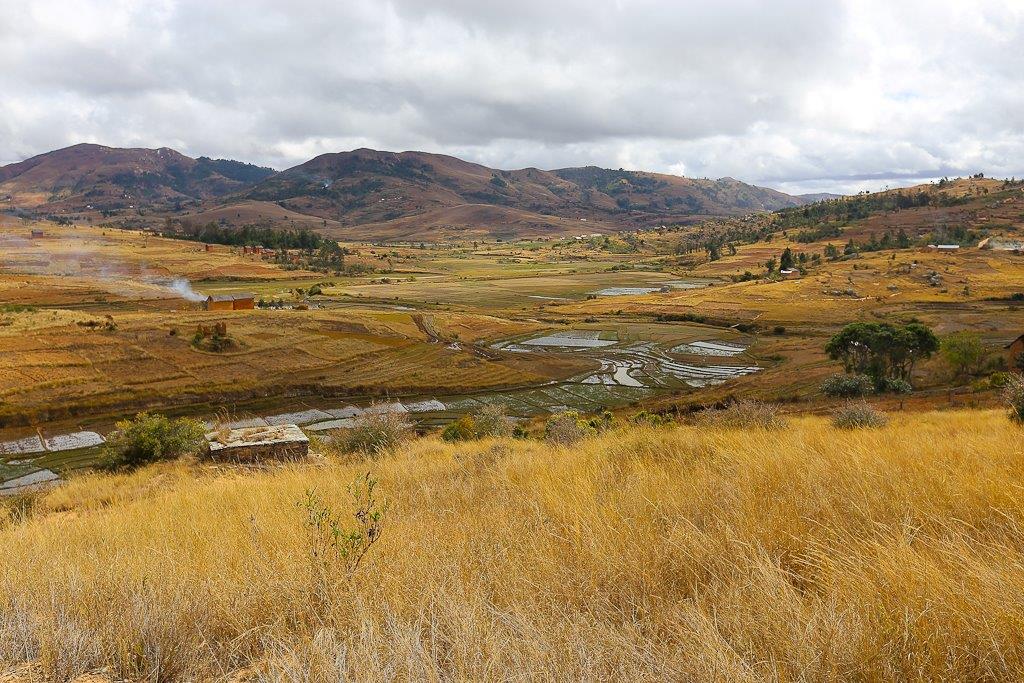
149, 439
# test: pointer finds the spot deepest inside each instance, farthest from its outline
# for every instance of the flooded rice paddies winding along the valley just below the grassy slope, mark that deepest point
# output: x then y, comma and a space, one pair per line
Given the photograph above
629, 364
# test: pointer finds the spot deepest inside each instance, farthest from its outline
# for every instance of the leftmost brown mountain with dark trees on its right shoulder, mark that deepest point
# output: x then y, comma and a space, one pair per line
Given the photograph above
86, 177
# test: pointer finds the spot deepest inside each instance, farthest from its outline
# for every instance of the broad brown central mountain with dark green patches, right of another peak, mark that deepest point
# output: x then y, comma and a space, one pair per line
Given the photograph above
376, 194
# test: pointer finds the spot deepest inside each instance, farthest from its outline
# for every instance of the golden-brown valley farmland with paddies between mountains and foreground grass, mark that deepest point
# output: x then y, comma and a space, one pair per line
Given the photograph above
99, 324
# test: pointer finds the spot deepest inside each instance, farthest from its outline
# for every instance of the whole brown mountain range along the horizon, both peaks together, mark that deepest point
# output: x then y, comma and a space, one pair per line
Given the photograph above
370, 195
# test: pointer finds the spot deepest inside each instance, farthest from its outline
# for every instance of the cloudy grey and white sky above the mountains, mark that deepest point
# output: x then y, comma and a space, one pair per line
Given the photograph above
799, 96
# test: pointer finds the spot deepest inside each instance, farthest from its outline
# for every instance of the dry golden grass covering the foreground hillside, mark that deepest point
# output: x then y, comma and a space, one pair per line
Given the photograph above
686, 553
